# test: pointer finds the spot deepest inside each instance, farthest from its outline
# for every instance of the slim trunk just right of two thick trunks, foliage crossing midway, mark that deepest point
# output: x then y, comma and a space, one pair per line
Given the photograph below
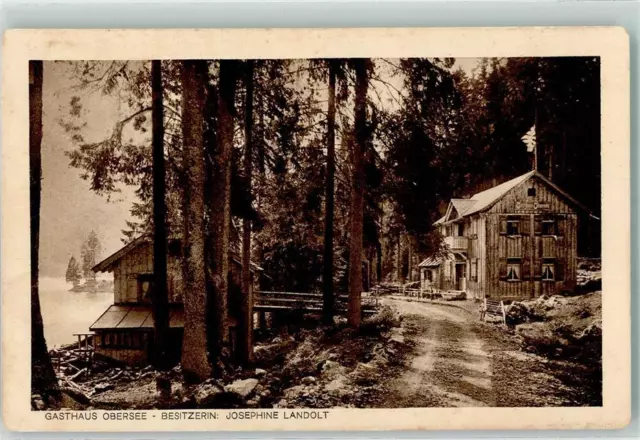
245, 349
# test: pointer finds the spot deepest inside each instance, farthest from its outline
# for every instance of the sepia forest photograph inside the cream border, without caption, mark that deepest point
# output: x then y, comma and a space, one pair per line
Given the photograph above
317, 233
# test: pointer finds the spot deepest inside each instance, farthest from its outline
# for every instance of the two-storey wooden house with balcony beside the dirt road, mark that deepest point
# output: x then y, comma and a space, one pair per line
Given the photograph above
515, 240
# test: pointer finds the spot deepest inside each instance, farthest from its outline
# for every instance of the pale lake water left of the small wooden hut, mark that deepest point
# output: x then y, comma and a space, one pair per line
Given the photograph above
65, 313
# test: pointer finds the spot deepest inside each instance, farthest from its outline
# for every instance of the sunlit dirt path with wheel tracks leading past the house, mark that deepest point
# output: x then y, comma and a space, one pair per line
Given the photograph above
459, 362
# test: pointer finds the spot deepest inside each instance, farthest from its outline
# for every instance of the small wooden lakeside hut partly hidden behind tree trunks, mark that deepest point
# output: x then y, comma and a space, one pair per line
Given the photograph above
124, 332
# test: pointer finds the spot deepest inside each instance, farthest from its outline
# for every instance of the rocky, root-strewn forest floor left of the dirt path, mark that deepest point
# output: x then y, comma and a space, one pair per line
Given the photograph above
313, 367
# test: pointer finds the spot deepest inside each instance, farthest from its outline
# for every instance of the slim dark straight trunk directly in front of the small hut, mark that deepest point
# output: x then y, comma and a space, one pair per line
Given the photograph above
160, 302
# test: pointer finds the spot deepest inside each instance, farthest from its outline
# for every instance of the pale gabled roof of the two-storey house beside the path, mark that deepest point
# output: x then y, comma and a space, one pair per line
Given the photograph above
486, 199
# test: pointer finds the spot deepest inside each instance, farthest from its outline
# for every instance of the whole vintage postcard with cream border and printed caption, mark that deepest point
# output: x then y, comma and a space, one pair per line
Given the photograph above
315, 229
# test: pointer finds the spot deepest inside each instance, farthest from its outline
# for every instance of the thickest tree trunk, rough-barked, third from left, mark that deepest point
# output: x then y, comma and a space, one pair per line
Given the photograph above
195, 361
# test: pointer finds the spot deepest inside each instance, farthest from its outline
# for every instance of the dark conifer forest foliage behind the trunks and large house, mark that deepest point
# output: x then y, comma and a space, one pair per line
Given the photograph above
433, 131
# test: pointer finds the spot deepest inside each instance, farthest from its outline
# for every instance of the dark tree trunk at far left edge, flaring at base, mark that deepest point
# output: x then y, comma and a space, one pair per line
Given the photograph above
43, 378
